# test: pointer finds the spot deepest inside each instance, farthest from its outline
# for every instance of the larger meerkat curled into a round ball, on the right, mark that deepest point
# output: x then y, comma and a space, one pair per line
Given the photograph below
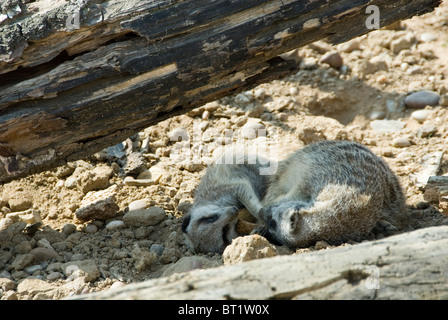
332, 191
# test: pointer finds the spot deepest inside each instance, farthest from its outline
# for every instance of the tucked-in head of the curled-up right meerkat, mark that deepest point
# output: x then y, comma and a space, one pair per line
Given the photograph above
283, 221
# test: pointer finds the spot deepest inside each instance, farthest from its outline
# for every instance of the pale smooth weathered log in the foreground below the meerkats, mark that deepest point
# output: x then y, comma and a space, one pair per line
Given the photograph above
407, 266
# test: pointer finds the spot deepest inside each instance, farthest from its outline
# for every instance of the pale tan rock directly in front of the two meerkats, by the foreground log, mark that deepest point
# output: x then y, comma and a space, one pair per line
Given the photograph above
248, 248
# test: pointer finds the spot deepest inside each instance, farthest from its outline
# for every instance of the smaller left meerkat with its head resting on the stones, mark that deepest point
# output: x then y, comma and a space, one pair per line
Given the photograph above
225, 189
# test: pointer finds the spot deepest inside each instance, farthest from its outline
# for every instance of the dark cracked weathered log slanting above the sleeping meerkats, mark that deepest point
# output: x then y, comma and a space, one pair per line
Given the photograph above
68, 90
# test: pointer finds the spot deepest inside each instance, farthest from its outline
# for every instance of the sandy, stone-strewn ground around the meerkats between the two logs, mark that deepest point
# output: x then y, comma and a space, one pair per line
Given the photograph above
115, 217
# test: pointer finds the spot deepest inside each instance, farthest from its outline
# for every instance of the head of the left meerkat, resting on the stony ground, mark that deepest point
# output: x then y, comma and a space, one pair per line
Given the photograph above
210, 228
